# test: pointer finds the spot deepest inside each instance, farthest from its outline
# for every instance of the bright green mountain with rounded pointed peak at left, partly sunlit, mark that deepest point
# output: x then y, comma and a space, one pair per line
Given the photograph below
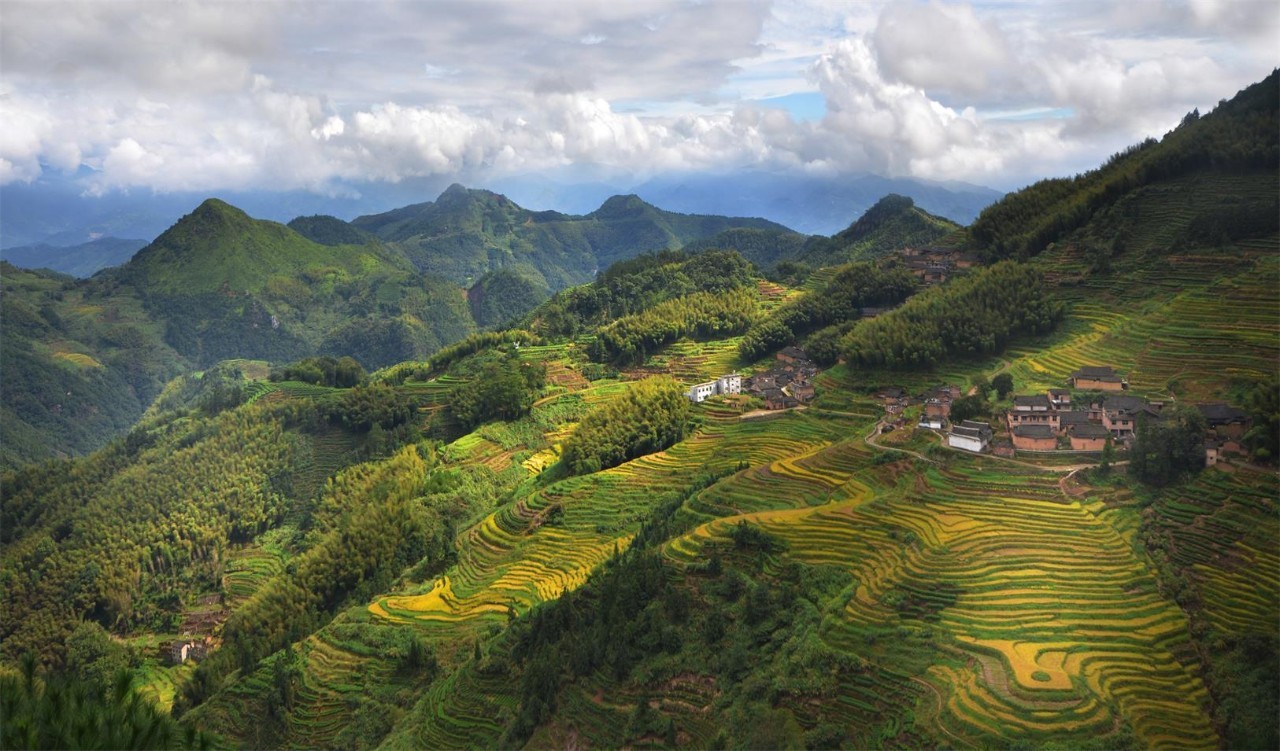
228, 286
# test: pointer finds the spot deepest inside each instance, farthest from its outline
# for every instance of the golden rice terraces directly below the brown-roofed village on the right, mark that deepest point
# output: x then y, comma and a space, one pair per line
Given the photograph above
1055, 629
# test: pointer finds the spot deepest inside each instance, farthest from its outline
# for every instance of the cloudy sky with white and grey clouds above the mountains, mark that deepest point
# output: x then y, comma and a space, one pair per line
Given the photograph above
171, 97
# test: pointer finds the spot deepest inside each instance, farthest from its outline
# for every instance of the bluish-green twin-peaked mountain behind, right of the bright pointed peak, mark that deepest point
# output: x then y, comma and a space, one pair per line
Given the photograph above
465, 235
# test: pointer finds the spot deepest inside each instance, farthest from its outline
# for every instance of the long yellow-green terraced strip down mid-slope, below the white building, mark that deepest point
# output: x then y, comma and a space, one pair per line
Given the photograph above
551, 541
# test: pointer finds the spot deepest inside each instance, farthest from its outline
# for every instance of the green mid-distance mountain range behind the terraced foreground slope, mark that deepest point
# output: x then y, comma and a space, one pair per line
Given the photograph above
220, 285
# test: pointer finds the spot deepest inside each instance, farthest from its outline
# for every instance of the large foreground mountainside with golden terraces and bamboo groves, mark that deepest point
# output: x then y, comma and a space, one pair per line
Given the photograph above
536, 541
